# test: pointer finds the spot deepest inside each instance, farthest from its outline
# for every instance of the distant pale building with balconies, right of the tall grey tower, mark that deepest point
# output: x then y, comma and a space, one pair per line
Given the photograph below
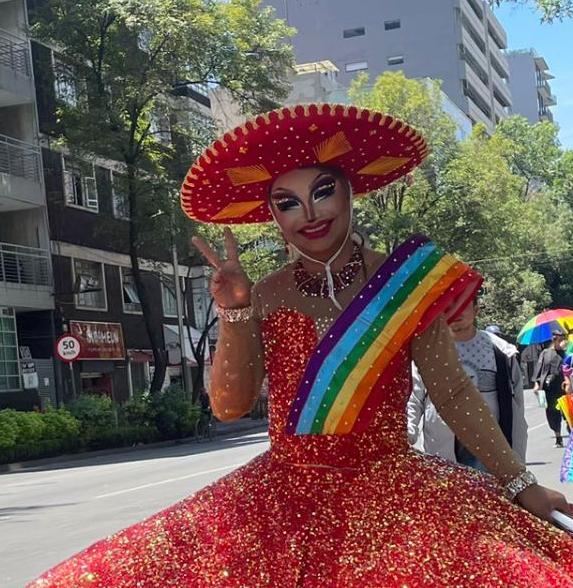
529, 84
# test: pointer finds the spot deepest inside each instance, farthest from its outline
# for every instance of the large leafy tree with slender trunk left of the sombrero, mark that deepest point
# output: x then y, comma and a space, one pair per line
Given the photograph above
134, 64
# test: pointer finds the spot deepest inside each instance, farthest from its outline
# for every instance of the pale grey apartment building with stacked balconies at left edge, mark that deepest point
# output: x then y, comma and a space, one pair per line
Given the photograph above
27, 375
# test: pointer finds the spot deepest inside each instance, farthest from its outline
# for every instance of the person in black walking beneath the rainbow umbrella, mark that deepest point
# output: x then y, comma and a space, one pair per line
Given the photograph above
549, 378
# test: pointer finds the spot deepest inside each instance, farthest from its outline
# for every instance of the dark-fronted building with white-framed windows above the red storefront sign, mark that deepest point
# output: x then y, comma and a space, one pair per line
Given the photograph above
95, 294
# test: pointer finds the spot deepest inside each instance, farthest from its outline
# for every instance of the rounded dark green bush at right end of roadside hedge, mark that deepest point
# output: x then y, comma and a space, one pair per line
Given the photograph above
175, 415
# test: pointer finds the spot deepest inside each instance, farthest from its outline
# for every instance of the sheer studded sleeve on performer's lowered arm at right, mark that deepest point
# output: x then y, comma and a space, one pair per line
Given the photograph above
460, 404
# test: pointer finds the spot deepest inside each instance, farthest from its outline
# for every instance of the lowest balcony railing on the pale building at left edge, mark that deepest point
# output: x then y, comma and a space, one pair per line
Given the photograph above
24, 266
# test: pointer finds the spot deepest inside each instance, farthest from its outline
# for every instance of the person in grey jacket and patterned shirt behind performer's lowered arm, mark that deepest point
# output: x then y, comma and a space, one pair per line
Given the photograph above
492, 365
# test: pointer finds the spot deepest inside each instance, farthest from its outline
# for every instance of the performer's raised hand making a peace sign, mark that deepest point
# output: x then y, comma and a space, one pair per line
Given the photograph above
230, 285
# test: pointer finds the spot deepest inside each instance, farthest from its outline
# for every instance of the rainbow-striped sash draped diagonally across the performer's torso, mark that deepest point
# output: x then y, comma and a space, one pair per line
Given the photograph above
345, 377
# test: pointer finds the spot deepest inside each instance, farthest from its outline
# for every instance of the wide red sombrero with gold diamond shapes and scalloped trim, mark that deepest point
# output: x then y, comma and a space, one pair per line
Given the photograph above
229, 183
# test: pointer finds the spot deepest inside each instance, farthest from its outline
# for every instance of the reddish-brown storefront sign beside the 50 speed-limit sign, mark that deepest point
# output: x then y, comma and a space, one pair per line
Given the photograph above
99, 340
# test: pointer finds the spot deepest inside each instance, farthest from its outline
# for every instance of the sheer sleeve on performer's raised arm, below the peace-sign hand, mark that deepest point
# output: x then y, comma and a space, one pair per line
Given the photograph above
238, 367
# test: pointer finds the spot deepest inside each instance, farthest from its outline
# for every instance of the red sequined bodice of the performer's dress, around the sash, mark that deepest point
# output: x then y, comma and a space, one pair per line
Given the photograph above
289, 338
